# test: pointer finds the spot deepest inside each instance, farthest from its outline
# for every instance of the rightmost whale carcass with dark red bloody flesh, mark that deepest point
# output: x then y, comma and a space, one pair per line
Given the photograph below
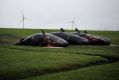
93, 39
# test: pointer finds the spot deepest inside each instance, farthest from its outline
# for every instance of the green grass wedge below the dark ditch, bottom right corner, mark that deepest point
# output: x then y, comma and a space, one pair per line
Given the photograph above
102, 72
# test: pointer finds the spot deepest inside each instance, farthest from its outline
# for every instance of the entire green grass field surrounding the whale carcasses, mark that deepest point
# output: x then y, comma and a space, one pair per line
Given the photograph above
76, 62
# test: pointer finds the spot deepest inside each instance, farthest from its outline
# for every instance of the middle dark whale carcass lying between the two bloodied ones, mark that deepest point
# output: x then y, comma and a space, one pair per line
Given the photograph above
71, 38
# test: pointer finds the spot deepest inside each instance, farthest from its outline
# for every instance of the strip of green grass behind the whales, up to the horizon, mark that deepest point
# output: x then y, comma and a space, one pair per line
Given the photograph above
20, 33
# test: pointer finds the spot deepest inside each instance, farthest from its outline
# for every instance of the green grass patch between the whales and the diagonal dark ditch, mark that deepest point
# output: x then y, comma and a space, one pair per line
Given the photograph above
20, 63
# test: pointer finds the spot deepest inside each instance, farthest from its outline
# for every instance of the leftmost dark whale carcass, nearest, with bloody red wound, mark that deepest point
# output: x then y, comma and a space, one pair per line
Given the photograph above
40, 39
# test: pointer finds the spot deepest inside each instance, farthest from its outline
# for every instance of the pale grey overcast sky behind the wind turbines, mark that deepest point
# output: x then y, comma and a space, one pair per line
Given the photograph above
54, 14
